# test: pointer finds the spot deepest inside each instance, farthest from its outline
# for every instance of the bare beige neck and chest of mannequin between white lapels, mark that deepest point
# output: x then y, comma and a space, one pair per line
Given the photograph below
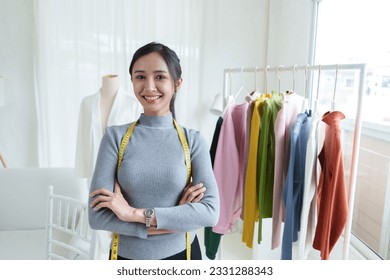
109, 89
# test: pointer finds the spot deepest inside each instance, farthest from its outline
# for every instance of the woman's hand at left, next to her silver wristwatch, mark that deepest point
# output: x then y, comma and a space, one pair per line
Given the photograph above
114, 201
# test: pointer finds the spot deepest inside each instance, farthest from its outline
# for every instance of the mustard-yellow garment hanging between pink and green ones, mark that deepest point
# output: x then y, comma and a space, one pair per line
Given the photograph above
251, 211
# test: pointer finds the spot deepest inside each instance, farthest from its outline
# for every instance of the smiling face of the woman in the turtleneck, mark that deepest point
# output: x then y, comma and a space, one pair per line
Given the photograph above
153, 85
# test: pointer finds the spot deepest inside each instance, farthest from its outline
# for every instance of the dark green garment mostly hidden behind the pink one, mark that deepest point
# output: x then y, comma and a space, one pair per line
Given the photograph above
212, 239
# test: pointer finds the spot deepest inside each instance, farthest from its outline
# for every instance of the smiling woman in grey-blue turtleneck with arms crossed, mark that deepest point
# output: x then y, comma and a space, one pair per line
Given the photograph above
148, 206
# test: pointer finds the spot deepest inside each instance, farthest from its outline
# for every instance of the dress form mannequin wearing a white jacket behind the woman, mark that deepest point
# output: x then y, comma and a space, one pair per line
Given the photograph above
111, 105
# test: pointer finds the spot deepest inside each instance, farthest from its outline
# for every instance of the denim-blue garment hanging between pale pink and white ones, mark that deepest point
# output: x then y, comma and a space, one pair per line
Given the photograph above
294, 186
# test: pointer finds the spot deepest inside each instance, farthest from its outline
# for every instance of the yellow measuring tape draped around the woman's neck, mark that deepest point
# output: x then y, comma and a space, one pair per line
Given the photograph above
184, 143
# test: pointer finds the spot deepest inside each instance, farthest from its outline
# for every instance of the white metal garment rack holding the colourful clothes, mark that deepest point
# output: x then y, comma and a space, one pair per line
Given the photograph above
362, 68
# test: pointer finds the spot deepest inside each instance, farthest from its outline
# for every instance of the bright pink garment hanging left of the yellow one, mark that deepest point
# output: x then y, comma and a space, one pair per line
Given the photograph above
229, 166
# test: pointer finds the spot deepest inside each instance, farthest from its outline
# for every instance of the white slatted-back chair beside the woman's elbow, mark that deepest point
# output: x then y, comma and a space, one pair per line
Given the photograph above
68, 235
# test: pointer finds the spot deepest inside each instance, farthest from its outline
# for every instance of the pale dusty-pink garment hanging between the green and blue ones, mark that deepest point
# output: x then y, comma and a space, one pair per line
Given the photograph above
291, 106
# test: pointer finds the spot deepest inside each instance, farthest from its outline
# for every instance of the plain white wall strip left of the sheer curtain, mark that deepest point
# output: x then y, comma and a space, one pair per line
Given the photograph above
18, 138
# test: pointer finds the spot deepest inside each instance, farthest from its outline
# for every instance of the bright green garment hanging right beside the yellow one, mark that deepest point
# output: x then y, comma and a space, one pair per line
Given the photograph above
266, 158
